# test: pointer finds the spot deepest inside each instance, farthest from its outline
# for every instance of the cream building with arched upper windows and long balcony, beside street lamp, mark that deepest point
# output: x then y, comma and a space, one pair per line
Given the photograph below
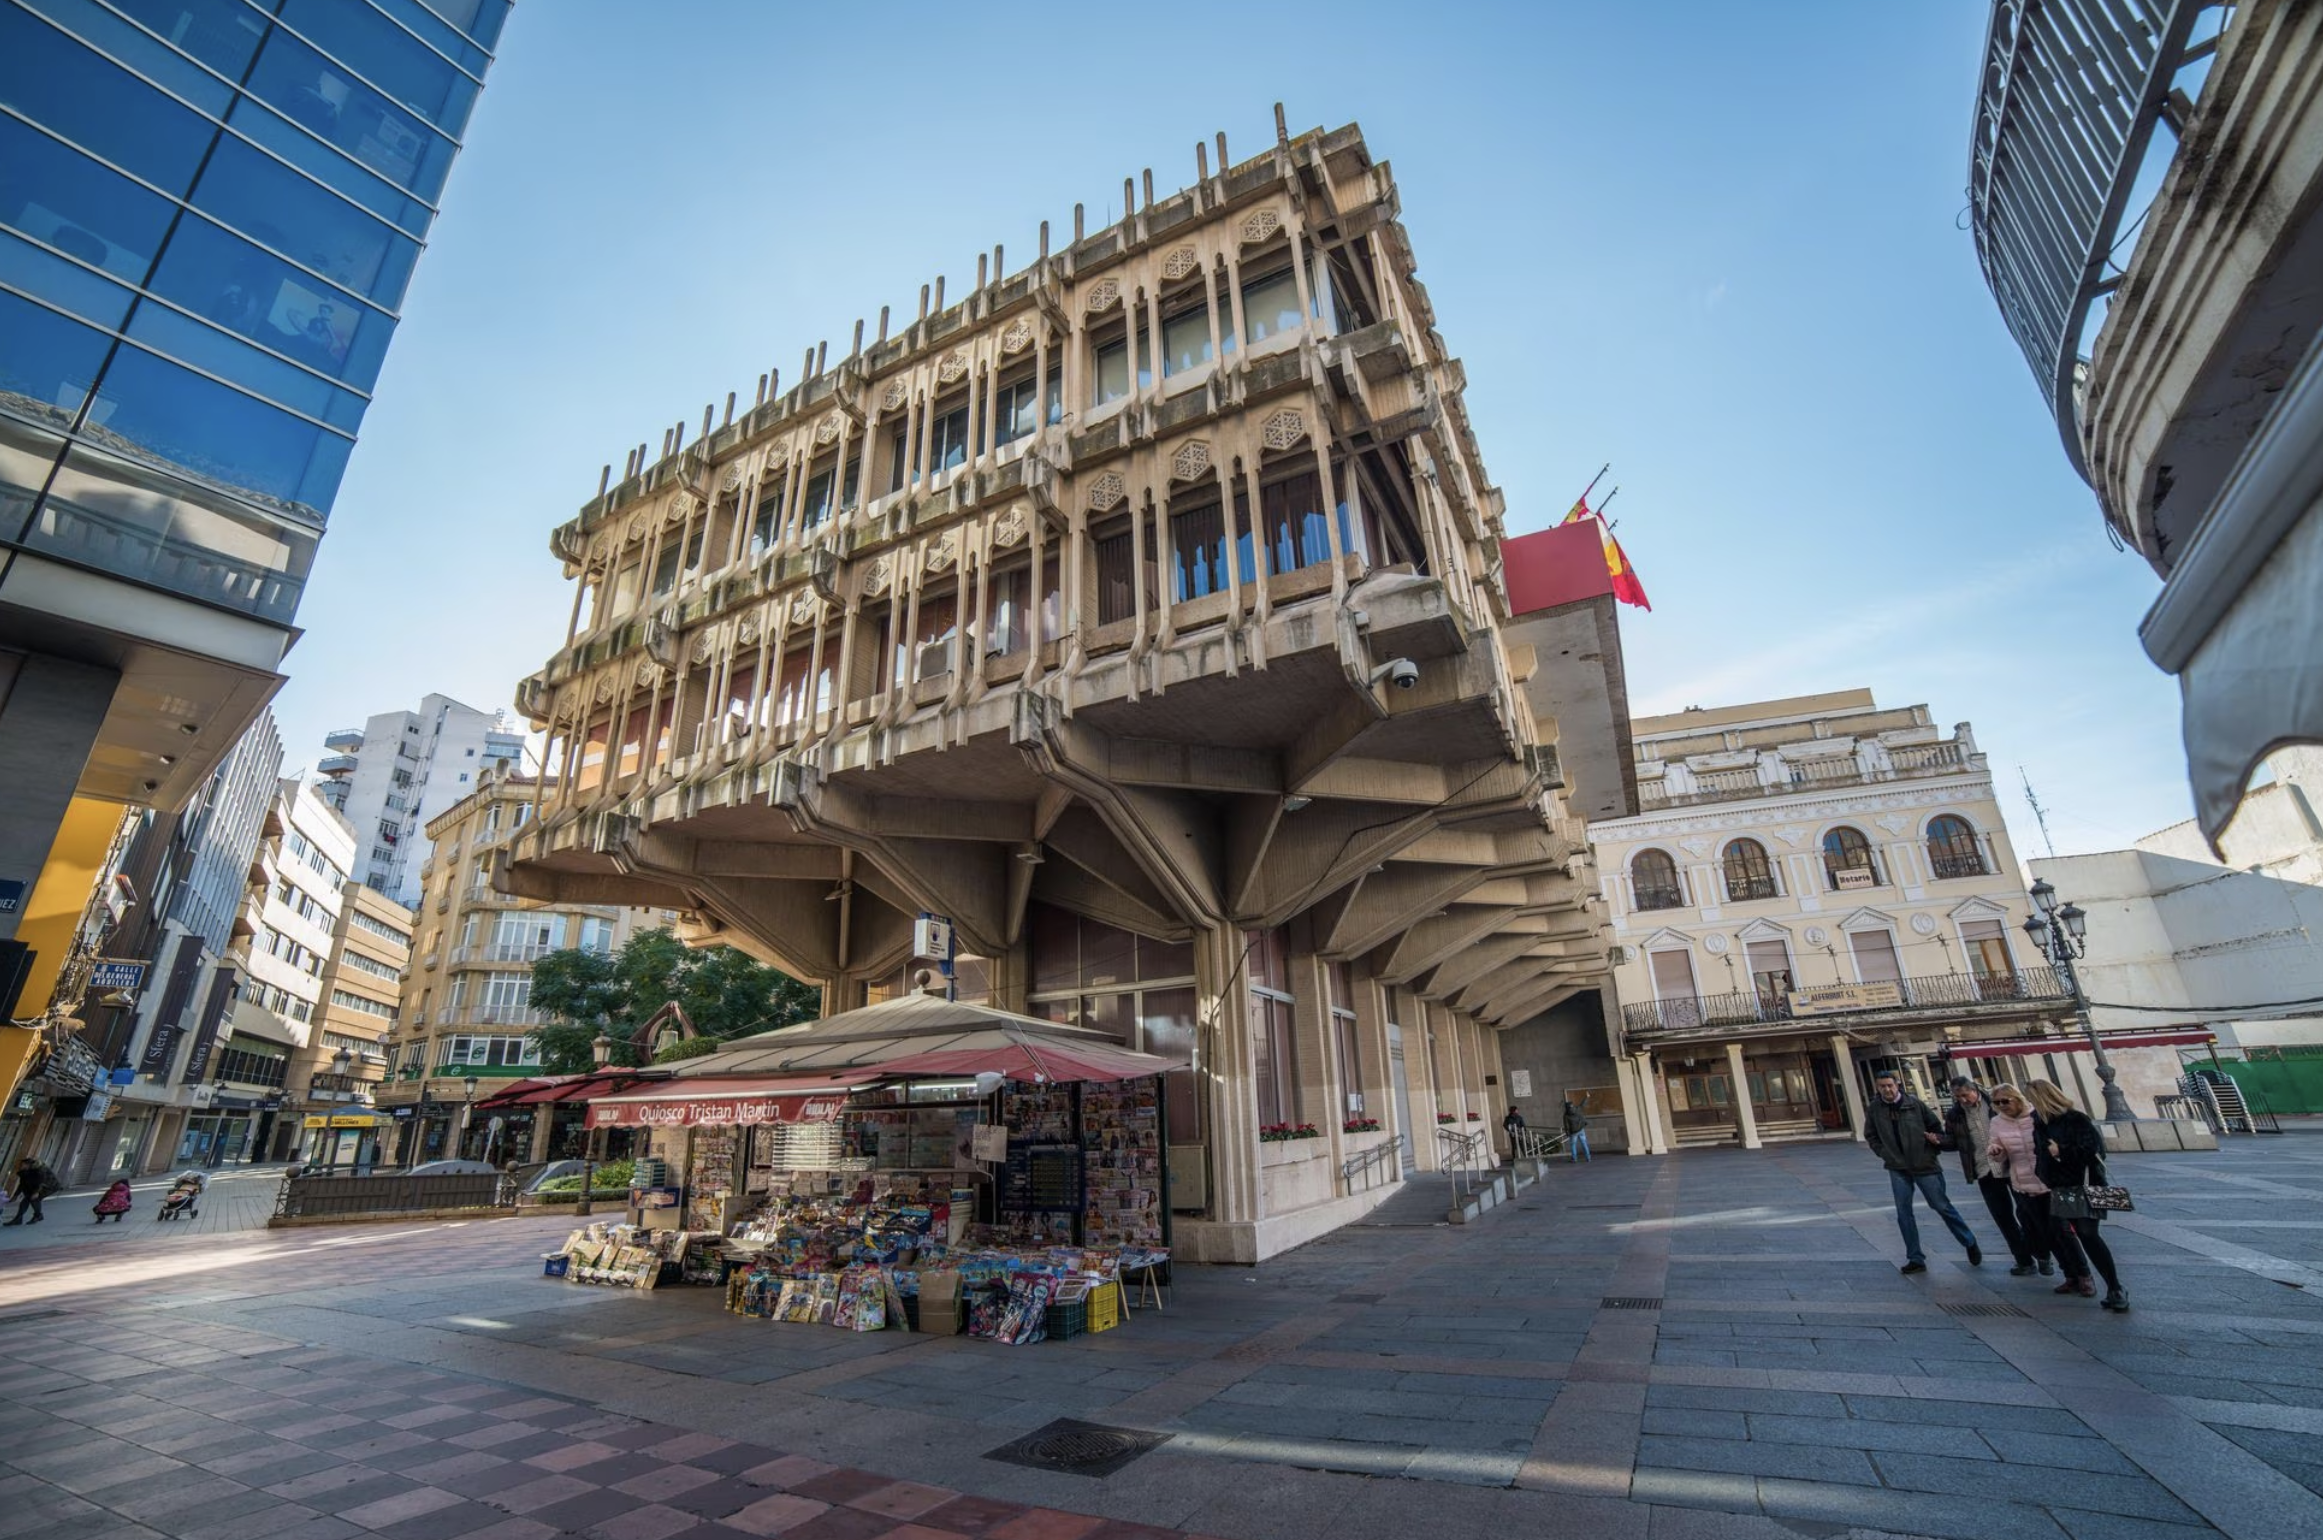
1813, 891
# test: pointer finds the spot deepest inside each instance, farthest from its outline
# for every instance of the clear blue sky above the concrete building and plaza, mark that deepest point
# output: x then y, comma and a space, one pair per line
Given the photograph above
1718, 245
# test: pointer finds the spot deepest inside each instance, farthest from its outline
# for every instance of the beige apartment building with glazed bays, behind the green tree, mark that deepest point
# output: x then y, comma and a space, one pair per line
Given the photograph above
468, 1014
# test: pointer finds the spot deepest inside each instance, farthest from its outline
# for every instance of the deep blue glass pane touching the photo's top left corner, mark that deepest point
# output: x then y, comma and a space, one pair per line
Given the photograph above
99, 106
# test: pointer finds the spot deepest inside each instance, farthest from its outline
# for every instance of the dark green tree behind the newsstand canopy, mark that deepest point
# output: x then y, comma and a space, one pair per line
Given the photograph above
724, 993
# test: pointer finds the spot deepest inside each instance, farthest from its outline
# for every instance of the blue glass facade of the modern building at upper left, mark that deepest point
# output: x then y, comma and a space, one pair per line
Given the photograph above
208, 220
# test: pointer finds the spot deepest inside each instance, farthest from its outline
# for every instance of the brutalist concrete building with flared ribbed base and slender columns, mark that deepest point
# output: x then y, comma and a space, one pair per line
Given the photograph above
1144, 614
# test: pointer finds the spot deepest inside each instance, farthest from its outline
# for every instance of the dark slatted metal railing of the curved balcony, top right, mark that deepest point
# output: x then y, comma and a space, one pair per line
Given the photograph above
2071, 96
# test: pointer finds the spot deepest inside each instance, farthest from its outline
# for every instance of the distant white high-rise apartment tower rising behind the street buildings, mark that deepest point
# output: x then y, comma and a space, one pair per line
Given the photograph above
398, 772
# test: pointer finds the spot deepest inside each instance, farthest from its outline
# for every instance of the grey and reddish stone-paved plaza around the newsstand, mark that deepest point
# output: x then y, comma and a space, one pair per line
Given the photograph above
1713, 1344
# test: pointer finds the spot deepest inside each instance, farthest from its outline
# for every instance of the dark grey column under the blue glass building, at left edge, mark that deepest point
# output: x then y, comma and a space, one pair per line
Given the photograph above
50, 717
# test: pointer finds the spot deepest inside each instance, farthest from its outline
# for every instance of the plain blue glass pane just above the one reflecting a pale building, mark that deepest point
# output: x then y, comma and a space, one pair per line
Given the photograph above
220, 433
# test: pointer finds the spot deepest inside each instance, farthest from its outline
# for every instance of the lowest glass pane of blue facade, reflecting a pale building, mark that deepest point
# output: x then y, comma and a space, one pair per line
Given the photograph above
152, 528
